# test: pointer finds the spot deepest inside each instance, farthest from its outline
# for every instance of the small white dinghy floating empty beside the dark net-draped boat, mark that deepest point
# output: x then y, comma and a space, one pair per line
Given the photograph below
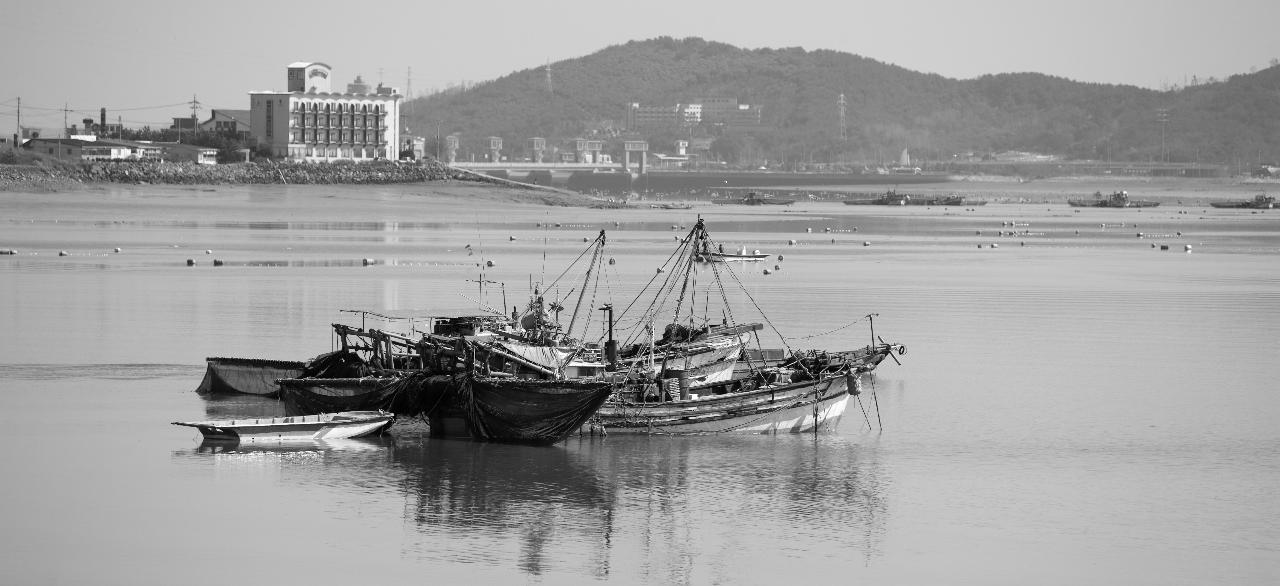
348, 424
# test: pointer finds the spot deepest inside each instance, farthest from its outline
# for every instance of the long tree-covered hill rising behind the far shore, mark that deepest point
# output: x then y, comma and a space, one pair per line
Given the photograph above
889, 108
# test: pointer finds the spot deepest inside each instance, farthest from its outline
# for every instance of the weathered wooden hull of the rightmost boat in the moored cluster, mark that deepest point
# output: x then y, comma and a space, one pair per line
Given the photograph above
798, 408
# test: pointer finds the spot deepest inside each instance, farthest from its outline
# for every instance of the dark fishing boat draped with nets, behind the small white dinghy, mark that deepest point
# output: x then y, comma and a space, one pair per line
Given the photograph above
495, 379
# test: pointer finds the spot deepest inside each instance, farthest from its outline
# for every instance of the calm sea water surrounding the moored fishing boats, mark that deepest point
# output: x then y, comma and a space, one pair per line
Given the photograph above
1073, 409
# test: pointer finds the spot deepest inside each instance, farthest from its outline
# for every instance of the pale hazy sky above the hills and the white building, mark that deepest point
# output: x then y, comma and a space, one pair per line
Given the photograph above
148, 61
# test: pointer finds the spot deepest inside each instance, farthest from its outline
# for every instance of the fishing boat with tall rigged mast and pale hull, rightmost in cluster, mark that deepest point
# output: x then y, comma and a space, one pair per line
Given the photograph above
790, 392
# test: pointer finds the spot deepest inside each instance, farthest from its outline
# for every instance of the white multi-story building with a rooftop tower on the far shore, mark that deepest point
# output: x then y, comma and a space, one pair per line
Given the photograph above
310, 123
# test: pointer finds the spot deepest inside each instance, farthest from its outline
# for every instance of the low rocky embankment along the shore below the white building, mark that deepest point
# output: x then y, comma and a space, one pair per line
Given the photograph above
61, 177
